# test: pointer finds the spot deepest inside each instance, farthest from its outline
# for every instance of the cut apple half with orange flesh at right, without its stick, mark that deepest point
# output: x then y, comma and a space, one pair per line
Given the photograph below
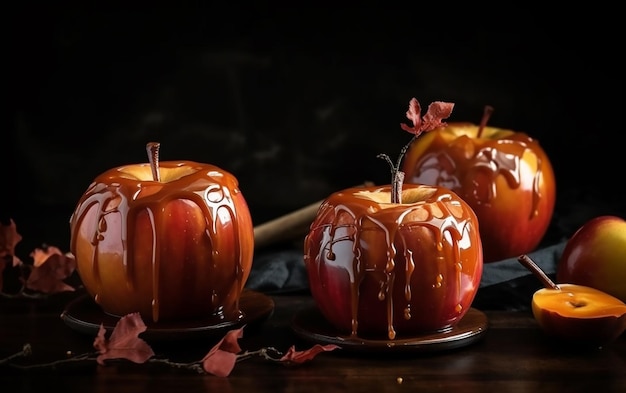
579, 313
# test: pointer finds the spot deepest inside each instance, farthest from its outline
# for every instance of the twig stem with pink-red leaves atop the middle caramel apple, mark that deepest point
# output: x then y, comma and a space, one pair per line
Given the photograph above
436, 112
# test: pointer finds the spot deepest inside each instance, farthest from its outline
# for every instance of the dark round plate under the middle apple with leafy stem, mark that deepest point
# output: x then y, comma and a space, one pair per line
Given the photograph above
312, 326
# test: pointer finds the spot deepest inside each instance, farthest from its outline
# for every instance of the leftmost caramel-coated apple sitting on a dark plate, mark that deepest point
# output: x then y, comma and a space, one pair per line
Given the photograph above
175, 249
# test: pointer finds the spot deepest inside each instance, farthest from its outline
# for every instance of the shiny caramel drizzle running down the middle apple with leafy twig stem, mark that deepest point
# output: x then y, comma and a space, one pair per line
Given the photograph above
438, 227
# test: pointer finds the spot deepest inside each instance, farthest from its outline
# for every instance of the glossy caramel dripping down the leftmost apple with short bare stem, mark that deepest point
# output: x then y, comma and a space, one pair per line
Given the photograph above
131, 198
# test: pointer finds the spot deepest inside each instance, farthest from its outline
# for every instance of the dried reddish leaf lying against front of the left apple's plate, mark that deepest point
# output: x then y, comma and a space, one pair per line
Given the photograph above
124, 342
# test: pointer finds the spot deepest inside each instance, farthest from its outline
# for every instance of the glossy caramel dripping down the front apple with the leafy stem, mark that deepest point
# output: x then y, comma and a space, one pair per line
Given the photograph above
393, 229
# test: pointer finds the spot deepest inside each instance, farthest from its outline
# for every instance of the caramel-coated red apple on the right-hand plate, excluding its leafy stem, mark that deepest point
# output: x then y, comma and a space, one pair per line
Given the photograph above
379, 269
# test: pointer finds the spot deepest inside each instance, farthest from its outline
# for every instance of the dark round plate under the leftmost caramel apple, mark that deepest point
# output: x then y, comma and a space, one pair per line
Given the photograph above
85, 316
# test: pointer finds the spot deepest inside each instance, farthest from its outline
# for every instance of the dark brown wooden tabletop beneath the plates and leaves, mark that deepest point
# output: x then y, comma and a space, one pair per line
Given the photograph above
512, 356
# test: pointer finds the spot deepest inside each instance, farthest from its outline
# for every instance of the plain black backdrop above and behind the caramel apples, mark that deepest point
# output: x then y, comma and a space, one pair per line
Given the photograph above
297, 101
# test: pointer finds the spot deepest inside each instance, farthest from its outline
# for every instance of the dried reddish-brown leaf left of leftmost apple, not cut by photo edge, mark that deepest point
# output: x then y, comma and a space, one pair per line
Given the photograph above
50, 268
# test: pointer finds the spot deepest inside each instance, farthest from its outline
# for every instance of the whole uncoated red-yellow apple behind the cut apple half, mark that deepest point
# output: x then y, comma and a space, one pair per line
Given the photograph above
595, 256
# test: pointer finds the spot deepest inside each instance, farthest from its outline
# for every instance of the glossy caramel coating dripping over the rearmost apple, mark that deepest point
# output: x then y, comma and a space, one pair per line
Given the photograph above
499, 158
